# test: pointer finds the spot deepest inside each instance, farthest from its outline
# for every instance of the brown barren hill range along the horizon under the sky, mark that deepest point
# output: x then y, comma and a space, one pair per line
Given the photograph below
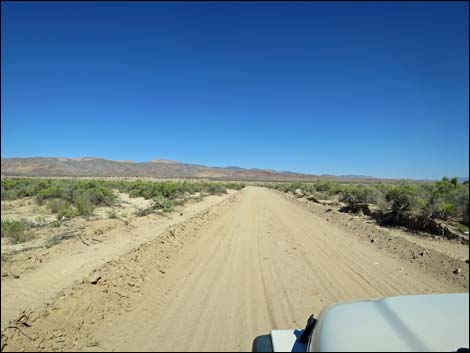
158, 168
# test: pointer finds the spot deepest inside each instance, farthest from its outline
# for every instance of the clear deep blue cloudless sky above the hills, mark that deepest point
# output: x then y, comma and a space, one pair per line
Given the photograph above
375, 89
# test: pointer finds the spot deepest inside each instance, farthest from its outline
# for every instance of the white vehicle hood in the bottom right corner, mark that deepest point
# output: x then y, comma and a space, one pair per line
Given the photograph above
406, 323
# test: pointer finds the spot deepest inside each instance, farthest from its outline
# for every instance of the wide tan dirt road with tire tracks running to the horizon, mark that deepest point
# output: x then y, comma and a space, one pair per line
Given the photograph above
256, 263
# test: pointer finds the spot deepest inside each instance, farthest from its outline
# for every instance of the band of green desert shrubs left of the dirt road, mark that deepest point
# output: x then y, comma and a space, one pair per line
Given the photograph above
72, 198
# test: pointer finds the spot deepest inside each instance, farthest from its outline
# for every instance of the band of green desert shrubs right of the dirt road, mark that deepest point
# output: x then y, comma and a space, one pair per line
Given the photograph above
416, 206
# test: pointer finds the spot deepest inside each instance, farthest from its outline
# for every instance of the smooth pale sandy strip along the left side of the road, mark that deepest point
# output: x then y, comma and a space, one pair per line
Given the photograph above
43, 283
